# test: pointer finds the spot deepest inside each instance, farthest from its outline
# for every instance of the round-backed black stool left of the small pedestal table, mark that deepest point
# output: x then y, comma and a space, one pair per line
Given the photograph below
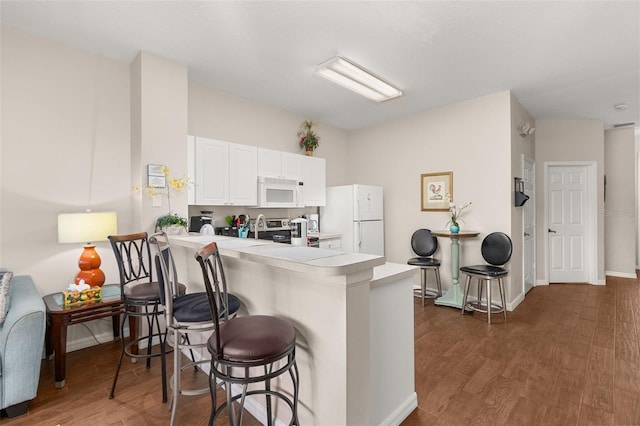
424, 244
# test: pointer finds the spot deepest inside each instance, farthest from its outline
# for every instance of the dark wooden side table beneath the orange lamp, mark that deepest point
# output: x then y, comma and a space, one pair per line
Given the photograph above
60, 317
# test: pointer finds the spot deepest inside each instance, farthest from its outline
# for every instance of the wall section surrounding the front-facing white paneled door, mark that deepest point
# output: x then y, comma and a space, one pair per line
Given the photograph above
568, 141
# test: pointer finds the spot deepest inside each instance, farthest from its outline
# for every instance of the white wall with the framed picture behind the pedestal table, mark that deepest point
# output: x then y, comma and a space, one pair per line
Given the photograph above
471, 139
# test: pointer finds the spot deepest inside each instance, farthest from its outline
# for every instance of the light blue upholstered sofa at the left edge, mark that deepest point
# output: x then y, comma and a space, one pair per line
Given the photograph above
21, 344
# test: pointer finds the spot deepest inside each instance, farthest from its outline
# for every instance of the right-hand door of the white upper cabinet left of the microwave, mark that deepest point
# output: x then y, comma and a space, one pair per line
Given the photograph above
243, 177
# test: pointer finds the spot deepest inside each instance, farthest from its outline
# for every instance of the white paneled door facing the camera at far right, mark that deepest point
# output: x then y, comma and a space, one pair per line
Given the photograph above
568, 223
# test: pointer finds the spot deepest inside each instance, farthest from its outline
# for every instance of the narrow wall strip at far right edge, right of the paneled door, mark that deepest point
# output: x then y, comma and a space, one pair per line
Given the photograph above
620, 214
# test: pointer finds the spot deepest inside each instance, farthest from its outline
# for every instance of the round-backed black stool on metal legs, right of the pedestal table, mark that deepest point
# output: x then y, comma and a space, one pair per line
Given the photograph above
496, 250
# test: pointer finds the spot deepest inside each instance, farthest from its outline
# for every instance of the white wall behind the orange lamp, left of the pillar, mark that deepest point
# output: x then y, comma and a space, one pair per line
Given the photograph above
65, 147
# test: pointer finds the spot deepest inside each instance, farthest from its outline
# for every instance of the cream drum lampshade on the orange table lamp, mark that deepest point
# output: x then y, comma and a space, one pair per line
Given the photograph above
86, 227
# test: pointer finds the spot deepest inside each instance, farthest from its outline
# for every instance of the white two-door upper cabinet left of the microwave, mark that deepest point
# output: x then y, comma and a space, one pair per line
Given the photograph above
224, 173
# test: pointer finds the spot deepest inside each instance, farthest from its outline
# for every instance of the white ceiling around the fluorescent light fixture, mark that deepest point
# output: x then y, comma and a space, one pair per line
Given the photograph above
562, 60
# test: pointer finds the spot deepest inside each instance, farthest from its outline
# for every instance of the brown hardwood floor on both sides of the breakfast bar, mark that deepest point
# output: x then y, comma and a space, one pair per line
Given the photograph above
568, 355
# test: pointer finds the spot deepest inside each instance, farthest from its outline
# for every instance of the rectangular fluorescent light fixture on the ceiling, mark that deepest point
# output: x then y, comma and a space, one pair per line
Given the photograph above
355, 78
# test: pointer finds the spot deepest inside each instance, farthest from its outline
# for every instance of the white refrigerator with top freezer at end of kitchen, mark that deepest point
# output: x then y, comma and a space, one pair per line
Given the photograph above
355, 212
